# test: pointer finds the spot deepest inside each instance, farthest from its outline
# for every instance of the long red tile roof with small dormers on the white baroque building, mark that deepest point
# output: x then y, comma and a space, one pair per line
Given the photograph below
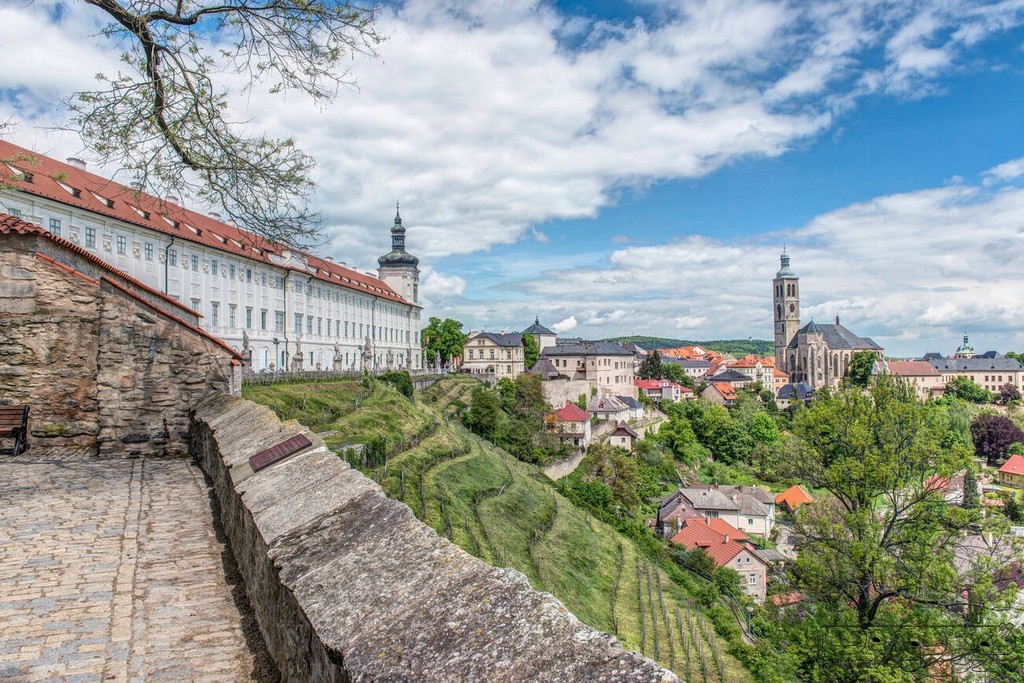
71, 186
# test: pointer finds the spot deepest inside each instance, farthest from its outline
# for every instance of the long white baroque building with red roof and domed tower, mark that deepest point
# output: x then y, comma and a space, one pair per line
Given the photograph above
282, 308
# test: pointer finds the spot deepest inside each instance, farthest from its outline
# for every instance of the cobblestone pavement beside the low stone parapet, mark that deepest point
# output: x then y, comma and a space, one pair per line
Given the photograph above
112, 571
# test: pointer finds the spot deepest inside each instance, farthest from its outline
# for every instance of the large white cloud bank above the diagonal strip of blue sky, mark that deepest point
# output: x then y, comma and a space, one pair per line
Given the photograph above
486, 124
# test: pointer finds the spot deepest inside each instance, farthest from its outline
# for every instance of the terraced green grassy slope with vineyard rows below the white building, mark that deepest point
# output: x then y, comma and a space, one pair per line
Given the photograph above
505, 513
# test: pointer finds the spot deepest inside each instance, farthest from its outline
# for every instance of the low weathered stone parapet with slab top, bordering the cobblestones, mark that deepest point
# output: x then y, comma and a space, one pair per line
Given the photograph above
349, 586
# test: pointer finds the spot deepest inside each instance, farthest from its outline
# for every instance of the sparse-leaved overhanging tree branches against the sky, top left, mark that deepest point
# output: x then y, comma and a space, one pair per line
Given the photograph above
165, 119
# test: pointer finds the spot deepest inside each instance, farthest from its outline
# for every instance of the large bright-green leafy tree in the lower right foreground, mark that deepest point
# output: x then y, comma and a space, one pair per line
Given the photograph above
880, 549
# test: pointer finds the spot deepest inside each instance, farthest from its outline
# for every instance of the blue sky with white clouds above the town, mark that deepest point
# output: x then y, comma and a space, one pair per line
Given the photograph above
618, 168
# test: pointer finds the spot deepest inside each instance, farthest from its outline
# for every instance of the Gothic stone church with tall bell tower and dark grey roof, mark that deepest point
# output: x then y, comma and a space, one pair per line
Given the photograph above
815, 355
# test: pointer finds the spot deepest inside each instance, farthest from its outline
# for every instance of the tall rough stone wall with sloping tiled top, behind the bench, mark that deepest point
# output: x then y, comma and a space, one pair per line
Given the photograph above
100, 365
